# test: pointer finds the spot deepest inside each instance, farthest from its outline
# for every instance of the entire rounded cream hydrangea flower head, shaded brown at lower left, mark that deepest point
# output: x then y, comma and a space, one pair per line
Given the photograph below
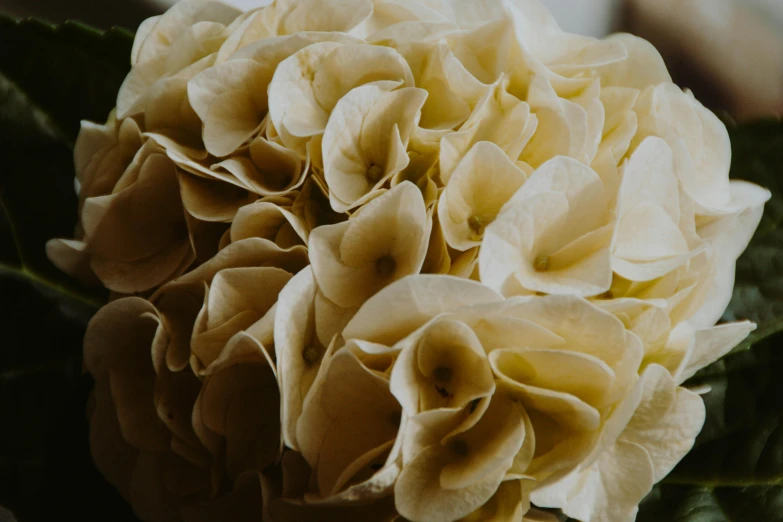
377, 260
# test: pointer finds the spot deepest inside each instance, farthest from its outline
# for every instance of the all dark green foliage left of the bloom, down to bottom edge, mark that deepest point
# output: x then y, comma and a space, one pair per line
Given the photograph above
50, 78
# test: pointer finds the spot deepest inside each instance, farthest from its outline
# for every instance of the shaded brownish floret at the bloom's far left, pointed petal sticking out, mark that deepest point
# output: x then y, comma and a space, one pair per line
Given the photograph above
133, 231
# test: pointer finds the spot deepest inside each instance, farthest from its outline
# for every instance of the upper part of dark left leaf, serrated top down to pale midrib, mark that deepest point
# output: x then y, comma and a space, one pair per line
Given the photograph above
51, 77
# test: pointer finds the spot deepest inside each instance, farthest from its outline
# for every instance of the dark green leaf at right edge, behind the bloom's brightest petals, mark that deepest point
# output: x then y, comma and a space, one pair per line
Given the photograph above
758, 292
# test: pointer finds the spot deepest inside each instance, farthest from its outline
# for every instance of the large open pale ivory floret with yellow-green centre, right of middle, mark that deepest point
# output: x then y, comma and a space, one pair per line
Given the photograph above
553, 236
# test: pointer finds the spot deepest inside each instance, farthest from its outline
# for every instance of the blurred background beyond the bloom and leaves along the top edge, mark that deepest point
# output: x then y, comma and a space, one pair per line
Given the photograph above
729, 52
